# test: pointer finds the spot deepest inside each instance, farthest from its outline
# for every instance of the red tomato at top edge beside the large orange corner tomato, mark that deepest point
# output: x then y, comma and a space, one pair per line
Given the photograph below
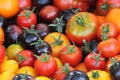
24, 4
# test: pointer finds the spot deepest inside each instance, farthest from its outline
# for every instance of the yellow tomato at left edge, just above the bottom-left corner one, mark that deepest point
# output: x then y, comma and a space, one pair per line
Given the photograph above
9, 65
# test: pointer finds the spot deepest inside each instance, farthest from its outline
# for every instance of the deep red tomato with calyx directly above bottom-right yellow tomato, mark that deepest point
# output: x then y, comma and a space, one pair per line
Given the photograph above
95, 61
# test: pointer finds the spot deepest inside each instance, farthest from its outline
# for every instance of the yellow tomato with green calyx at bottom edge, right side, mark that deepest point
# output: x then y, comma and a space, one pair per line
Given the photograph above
98, 75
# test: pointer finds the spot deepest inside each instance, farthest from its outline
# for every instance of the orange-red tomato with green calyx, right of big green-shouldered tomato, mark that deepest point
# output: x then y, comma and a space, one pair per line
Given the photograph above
107, 30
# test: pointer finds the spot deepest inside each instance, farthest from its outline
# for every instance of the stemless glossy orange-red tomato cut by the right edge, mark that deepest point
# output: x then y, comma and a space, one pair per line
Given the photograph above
109, 48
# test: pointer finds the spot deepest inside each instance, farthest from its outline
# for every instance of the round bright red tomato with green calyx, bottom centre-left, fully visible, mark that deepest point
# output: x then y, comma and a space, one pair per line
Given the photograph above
45, 65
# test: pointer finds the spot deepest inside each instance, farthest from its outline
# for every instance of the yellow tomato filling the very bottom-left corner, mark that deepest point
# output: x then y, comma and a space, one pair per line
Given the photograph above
7, 75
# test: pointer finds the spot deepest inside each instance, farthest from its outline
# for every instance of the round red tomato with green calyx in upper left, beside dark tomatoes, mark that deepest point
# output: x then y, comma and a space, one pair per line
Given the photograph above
26, 18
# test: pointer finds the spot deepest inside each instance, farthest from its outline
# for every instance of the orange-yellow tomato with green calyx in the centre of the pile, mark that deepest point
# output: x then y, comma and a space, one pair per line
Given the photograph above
57, 42
